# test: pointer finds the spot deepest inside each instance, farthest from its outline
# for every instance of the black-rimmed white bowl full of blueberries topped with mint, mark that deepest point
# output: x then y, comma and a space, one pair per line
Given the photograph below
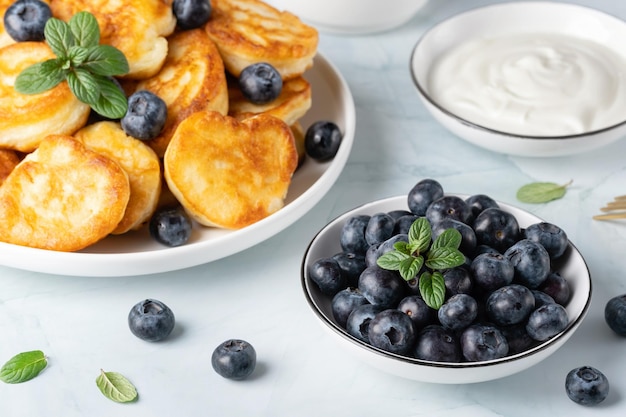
446, 288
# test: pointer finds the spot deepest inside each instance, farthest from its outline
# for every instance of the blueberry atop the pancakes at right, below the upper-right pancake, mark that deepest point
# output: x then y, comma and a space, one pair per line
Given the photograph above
260, 83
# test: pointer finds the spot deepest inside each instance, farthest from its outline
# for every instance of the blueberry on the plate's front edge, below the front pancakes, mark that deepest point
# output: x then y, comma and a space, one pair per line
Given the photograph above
170, 226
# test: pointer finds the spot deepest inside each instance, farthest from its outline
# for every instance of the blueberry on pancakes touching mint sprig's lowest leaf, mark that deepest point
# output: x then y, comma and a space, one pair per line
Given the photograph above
146, 115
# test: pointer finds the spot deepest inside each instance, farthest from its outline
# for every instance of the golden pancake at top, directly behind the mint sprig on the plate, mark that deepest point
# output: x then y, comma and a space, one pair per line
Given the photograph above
137, 28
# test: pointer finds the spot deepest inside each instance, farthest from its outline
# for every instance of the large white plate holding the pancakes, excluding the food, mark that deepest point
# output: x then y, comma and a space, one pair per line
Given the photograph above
137, 253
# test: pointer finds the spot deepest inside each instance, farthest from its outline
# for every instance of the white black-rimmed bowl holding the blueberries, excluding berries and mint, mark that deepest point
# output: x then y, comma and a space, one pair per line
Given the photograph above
572, 266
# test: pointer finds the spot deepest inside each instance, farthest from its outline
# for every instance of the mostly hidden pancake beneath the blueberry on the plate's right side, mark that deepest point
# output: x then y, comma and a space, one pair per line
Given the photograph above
292, 103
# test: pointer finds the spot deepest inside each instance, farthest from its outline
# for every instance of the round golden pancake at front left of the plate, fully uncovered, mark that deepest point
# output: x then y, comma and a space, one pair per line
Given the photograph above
62, 197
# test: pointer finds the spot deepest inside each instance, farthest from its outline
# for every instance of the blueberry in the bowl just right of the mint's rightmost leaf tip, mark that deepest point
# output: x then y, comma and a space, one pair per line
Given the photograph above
492, 271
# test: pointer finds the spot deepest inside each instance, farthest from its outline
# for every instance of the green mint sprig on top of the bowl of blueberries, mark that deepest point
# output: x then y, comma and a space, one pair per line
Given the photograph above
409, 257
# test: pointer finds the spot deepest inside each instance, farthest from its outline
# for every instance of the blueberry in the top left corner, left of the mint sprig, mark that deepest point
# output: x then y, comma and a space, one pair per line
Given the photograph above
25, 20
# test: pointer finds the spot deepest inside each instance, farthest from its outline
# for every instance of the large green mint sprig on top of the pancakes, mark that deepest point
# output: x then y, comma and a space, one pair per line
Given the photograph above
86, 65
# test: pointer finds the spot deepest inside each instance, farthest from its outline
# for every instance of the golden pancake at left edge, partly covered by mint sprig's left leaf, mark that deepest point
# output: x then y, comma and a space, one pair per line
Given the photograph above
26, 119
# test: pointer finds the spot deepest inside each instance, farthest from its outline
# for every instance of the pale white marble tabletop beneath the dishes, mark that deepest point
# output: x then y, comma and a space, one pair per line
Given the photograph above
80, 323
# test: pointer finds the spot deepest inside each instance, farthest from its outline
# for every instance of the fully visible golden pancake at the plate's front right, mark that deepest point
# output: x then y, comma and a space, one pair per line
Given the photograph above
230, 174
